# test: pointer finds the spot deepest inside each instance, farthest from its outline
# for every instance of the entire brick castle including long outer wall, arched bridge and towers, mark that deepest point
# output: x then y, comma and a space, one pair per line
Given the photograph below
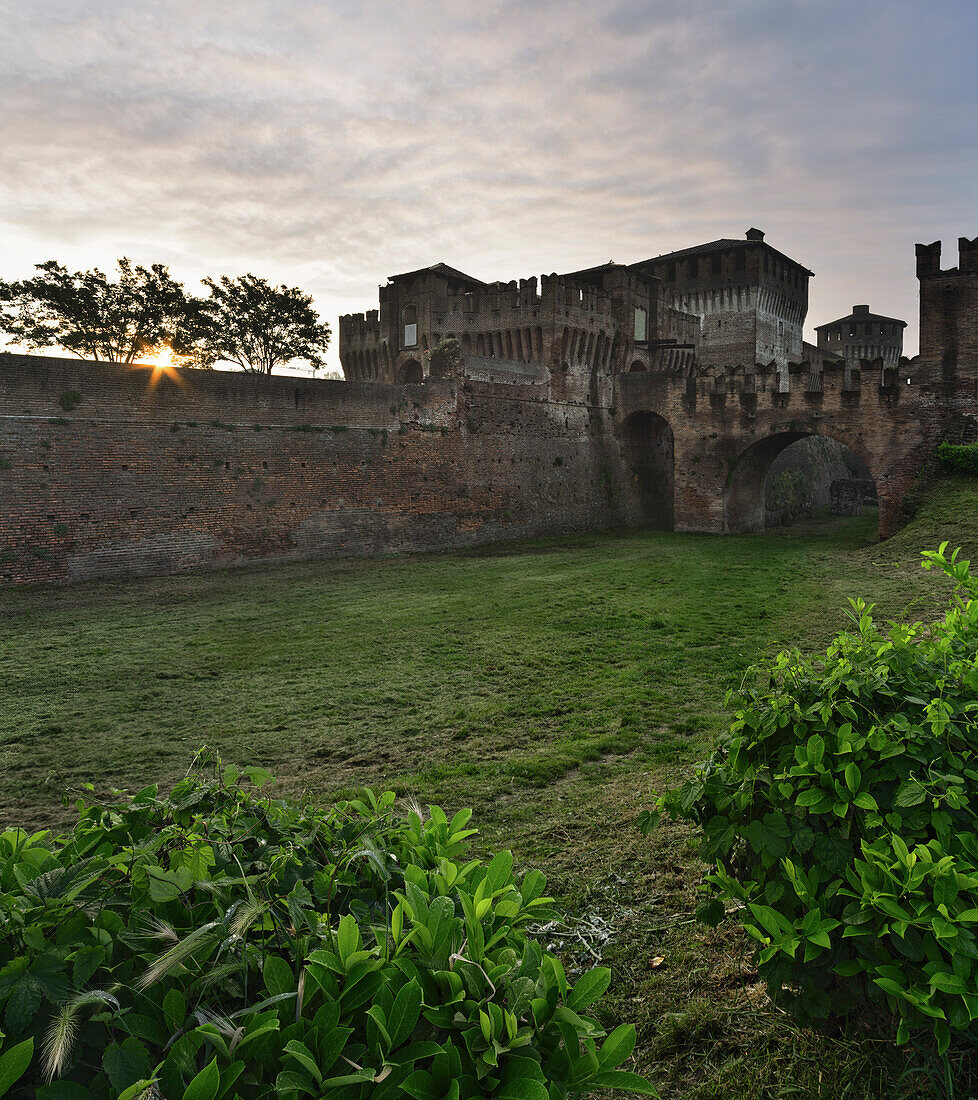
621, 395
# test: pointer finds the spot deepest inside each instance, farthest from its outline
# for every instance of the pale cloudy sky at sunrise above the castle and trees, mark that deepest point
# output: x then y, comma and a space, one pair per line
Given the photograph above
329, 145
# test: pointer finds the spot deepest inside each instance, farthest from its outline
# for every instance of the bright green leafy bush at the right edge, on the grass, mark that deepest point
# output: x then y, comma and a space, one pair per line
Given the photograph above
839, 812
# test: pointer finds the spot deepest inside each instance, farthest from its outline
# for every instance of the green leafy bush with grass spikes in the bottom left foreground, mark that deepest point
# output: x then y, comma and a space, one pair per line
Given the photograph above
222, 943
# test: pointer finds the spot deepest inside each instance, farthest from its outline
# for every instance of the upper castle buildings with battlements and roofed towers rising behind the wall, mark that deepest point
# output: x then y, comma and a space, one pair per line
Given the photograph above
719, 304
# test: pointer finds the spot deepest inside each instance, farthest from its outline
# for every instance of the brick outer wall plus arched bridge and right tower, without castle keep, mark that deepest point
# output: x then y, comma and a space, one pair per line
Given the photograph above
108, 471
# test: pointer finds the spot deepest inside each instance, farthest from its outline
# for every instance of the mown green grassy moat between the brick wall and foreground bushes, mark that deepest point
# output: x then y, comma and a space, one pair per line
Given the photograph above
551, 686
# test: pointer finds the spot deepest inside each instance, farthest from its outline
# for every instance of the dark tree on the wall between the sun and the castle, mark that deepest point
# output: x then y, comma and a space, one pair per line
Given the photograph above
259, 327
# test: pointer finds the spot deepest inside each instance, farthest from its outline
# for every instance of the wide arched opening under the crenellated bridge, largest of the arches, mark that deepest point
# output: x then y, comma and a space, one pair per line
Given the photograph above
794, 477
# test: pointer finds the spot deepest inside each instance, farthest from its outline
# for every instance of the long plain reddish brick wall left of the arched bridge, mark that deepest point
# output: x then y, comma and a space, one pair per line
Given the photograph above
227, 469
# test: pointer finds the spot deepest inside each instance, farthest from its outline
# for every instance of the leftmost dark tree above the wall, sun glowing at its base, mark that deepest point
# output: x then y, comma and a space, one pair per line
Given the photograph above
91, 316
